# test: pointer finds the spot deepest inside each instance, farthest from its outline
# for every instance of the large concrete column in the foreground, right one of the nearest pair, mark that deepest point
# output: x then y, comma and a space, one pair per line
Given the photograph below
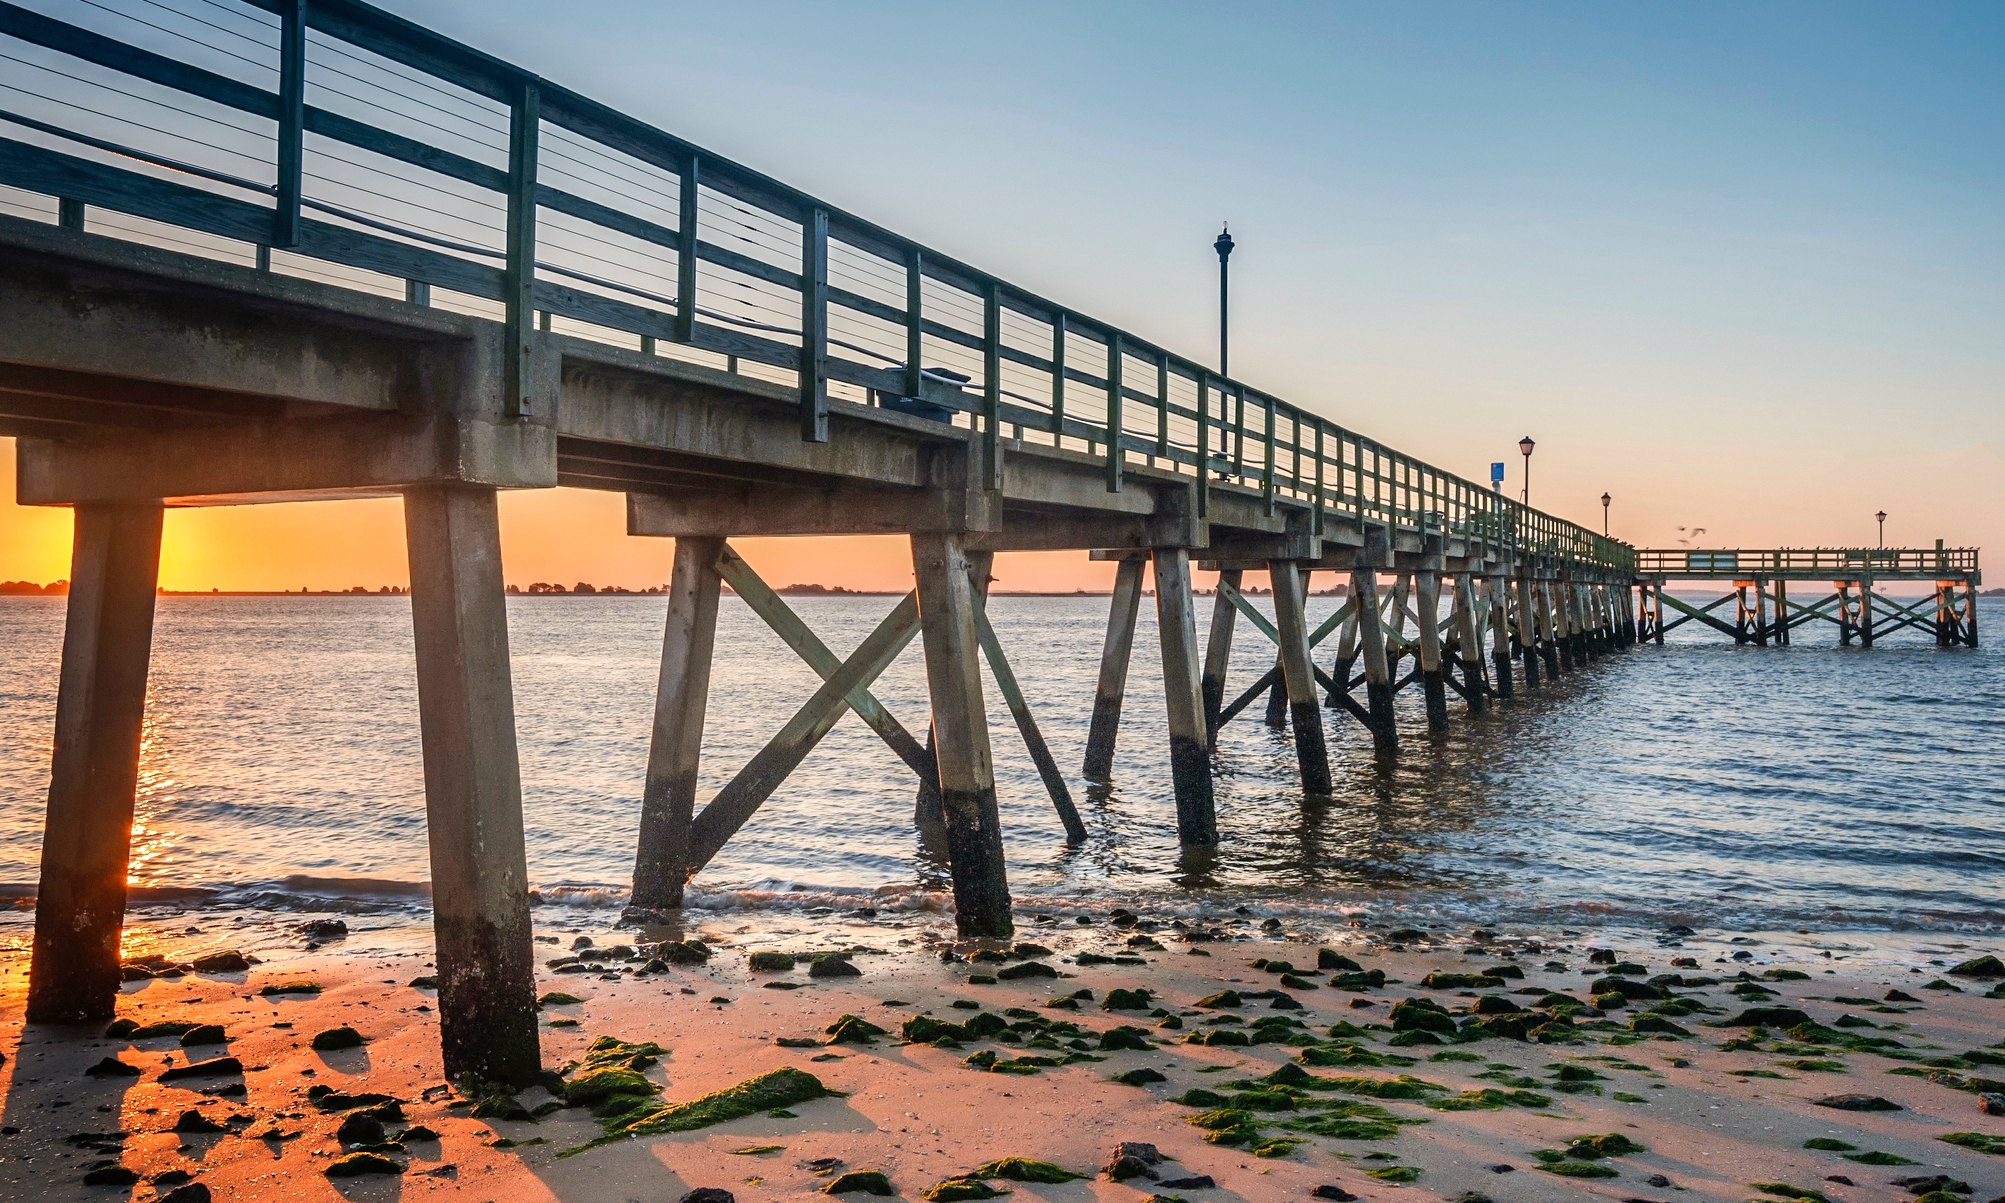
466, 709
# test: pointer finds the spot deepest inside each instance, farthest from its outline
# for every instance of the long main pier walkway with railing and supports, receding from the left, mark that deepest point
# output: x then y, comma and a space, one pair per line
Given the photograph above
564, 296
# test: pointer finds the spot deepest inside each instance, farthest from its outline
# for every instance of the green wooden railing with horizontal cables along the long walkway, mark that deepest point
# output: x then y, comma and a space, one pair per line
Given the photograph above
336, 141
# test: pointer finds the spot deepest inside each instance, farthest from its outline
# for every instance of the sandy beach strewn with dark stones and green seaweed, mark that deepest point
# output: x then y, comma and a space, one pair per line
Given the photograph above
1717, 1114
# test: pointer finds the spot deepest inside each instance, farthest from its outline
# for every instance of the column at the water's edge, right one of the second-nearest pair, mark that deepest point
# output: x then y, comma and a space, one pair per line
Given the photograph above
961, 737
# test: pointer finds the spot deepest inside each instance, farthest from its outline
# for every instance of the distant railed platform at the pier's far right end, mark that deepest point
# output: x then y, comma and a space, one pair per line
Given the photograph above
1765, 615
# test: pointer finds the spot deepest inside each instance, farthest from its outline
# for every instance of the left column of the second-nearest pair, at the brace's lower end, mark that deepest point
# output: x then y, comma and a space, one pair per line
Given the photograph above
669, 803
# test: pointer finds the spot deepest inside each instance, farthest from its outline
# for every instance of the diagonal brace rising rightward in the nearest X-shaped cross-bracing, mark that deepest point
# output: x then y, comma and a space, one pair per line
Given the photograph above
763, 775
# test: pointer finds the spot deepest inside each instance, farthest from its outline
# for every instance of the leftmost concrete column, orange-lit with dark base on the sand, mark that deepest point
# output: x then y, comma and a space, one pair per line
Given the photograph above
101, 707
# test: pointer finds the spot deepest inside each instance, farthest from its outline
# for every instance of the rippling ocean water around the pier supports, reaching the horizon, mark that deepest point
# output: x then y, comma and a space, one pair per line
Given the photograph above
1785, 789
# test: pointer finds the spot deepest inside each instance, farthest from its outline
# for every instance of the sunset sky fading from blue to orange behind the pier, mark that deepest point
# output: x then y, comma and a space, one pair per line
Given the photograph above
1739, 268
